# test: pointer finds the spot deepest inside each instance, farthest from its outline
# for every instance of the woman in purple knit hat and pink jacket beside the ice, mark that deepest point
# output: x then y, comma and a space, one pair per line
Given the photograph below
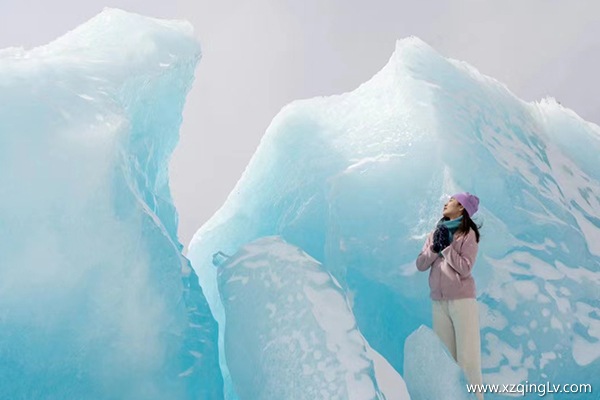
450, 250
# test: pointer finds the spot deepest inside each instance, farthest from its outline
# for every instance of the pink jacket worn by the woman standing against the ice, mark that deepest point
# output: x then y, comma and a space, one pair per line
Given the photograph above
450, 275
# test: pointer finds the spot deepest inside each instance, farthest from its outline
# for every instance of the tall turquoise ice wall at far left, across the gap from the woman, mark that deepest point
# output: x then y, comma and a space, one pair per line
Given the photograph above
96, 299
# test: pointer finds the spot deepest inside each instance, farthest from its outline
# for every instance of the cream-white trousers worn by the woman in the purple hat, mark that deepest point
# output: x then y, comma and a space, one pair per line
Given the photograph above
456, 322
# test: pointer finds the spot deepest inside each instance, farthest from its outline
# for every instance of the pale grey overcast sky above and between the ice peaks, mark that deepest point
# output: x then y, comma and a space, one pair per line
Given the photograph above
260, 55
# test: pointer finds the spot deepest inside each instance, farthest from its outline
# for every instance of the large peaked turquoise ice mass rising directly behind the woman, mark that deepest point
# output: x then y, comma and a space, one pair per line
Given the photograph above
357, 180
